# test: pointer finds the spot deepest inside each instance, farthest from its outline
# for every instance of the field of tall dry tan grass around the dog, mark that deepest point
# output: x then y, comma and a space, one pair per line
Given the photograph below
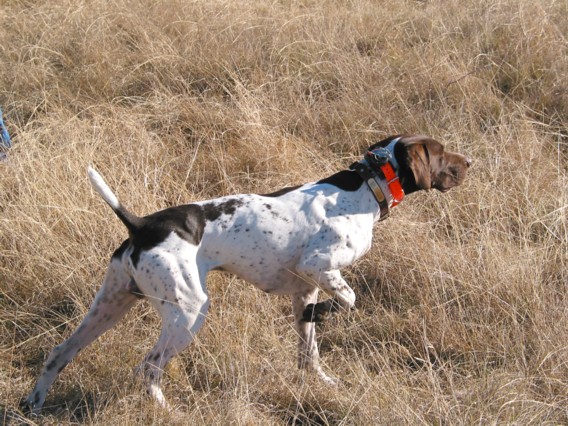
463, 300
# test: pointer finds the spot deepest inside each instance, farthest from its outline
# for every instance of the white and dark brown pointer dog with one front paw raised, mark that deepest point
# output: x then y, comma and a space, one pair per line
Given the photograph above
291, 242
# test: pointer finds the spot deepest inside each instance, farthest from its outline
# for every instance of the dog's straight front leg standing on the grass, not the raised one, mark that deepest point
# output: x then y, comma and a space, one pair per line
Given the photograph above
308, 354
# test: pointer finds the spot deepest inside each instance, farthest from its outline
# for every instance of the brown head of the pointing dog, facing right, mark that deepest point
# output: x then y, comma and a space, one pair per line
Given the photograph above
424, 164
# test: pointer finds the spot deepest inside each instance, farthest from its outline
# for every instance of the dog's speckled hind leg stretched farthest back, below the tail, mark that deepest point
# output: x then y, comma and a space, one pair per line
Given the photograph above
112, 302
